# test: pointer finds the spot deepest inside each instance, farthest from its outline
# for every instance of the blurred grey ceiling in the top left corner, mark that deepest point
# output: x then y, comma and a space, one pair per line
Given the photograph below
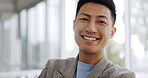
8, 7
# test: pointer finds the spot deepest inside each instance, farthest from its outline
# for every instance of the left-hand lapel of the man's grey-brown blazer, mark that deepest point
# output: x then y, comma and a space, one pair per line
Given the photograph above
68, 71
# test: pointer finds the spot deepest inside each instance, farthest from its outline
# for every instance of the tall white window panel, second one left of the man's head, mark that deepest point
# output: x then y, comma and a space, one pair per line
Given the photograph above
53, 29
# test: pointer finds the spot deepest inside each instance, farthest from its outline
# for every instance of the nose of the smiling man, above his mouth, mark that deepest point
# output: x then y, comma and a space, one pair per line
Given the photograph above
90, 28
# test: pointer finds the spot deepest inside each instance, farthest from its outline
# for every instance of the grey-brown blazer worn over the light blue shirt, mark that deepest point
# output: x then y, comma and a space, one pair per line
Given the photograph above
65, 68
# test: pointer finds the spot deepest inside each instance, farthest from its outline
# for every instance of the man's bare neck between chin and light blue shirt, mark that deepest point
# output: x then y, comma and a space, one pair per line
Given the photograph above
90, 58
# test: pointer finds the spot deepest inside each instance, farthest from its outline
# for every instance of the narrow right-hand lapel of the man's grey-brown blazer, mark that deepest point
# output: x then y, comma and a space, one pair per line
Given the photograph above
98, 68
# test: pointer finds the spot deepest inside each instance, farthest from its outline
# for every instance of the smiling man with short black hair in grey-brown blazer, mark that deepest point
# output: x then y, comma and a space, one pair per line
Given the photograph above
93, 27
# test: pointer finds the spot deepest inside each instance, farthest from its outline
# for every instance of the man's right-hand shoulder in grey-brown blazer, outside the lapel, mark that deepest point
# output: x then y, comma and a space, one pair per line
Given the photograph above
115, 71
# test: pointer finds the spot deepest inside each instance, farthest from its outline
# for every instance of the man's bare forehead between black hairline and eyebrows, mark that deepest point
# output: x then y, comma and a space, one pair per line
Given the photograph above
94, 10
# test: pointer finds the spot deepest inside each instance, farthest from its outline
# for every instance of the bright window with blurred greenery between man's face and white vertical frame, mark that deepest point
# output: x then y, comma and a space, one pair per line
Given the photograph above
115, 50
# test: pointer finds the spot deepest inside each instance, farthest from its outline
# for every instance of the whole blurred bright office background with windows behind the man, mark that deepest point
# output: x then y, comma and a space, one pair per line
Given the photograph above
33, 31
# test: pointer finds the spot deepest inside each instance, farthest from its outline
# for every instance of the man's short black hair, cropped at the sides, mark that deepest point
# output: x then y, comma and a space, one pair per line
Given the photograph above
108, 3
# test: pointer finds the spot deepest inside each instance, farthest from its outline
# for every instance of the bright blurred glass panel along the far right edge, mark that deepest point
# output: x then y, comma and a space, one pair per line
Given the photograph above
139, 36
